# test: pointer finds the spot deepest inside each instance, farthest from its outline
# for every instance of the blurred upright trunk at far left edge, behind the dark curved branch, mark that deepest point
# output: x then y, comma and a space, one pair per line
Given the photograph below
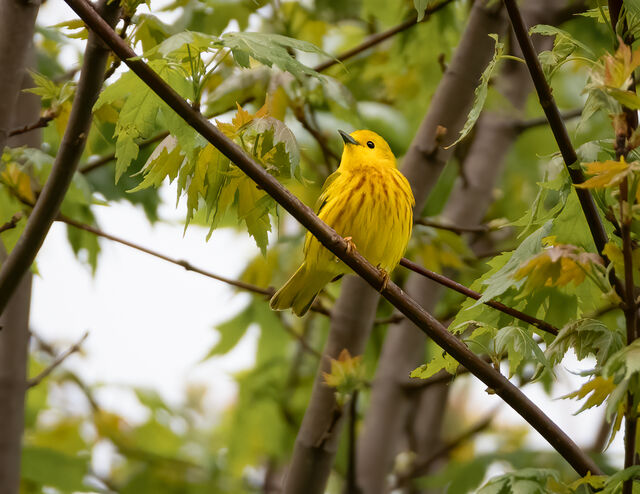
14, 336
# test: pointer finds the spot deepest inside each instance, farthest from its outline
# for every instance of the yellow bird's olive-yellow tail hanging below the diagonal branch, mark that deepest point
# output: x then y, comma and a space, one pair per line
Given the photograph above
300, 291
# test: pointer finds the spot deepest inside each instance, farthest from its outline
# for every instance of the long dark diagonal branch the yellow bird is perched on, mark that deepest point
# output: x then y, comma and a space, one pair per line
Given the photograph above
337, 245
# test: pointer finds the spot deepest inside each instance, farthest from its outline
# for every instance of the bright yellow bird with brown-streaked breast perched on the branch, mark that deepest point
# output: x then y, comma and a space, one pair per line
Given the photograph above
369, 203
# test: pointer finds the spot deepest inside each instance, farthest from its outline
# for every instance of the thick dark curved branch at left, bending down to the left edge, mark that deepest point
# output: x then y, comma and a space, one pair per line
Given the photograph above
73, 142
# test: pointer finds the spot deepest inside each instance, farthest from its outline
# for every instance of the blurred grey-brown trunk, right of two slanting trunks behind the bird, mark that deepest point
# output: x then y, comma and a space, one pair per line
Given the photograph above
403, 349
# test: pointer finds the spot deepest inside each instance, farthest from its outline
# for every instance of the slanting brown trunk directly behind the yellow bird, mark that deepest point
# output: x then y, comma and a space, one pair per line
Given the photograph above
351, 327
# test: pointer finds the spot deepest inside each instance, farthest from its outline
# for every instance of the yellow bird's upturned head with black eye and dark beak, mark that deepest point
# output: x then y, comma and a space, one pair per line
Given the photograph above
364, 147
